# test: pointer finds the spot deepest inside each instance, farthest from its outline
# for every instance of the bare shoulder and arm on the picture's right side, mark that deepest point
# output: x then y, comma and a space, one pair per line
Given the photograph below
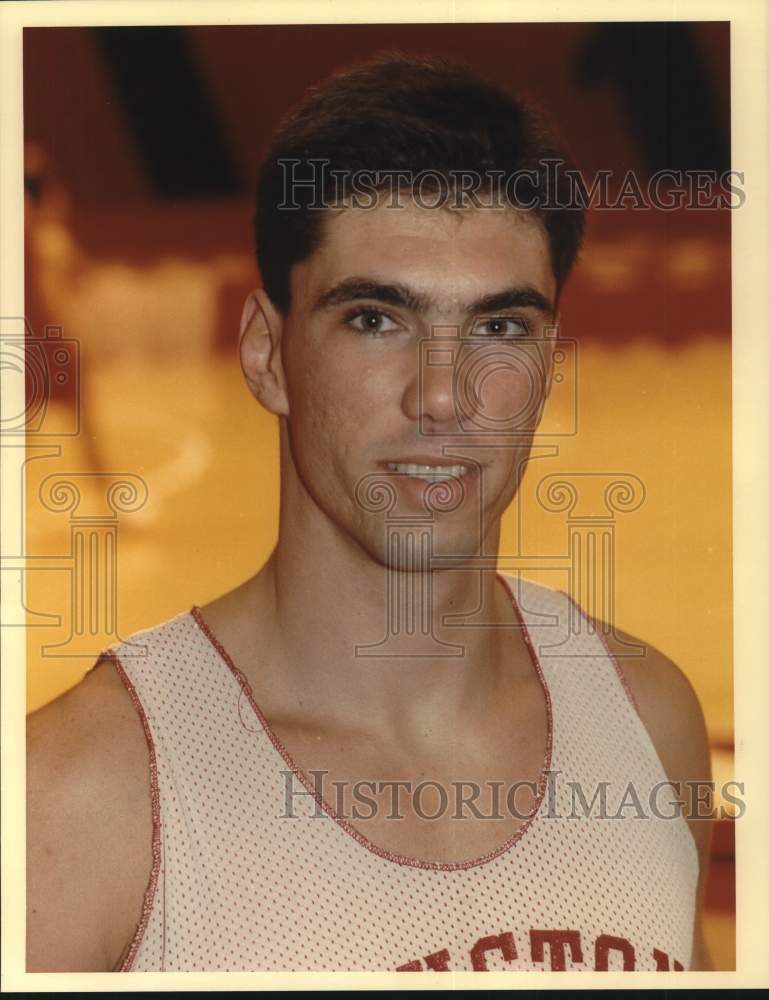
672, 715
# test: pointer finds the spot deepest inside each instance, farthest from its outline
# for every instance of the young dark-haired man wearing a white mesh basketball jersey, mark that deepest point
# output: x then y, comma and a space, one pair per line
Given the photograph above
307, 733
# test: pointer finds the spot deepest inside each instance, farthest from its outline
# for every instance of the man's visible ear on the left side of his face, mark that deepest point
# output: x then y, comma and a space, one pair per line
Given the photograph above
261, 326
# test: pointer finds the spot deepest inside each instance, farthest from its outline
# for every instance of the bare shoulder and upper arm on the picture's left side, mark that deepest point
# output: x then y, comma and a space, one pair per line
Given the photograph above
89, 825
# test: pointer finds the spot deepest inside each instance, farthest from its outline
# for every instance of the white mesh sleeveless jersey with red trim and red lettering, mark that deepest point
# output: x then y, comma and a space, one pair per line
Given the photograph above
236, 886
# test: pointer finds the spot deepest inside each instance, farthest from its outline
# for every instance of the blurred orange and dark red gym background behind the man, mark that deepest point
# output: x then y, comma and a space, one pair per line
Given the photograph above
142, 147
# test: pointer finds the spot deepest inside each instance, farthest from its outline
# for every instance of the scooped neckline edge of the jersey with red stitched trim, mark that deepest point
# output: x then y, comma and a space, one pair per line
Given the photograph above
400, 859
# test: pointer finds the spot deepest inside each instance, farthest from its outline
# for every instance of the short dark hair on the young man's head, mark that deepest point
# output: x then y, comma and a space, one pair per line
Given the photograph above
404, 113
